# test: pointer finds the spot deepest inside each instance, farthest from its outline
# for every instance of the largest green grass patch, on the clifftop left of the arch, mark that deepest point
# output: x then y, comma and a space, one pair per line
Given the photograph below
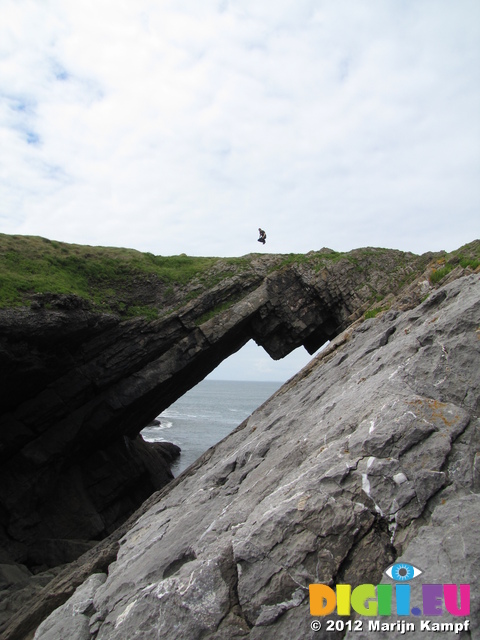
30, 265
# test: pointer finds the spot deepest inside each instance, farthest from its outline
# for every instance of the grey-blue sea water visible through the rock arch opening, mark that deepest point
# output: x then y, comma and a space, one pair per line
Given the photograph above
206, 414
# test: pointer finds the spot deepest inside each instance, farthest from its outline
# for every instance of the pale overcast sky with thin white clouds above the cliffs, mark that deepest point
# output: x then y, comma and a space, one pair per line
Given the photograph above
179, 126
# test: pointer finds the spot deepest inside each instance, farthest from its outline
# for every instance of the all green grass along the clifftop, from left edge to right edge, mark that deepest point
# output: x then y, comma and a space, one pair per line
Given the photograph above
131, 283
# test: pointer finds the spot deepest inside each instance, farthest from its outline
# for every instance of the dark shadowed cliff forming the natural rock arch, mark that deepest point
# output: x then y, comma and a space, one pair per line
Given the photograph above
78, 386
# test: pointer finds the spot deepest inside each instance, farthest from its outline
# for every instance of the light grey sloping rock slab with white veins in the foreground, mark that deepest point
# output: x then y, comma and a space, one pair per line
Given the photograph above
369, 455
